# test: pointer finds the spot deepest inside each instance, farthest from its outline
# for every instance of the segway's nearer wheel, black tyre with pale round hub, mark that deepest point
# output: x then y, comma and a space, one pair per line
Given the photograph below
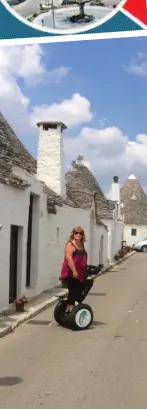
81, 317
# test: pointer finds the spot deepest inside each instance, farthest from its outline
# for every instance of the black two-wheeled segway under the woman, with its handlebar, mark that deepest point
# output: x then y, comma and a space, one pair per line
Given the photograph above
81, 316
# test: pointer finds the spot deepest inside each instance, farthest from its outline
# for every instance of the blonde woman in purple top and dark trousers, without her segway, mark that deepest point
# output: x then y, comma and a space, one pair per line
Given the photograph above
74, 266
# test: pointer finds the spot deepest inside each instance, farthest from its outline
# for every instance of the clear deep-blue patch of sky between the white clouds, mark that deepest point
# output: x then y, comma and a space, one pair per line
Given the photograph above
97, 72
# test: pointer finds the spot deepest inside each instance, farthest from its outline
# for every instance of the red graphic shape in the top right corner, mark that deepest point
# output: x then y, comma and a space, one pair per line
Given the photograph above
138, 8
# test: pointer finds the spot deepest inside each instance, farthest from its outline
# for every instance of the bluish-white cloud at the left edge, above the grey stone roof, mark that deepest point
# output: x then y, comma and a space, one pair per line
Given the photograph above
25, 63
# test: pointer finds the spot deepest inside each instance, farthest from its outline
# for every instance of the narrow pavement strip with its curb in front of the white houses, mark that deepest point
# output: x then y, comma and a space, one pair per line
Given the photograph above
8, 323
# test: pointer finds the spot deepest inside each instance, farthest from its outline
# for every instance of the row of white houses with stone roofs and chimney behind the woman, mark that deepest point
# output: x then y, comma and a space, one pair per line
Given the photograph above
39, 206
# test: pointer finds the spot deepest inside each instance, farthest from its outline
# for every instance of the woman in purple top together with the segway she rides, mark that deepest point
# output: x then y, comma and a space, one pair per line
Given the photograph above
76, 277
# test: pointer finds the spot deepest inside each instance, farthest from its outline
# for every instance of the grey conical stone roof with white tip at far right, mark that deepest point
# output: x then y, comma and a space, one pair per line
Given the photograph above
133, 202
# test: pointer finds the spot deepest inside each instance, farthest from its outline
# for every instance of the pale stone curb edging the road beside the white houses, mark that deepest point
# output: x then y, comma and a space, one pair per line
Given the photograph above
44, 305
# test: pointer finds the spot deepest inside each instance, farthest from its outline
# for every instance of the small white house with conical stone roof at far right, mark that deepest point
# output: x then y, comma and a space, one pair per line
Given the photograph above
134, 210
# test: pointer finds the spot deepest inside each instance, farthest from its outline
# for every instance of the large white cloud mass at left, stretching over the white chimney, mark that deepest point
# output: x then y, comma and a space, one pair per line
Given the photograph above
26, 63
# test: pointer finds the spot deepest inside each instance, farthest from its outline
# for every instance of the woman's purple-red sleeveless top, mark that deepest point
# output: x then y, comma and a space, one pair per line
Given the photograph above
80, 262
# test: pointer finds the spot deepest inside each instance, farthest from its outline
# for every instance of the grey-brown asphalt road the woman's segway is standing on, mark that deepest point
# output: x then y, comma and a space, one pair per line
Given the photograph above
45, 366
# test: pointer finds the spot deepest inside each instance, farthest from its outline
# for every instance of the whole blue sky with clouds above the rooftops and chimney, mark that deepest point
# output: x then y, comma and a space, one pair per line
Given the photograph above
111, 75
